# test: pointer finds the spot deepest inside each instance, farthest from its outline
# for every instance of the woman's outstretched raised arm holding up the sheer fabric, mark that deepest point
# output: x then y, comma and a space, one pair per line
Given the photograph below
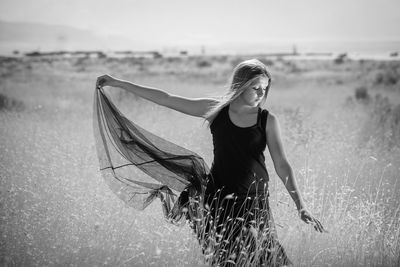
197, 107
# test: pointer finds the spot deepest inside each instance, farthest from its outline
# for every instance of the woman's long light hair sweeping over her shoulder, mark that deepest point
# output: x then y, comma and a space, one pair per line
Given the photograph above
243, 75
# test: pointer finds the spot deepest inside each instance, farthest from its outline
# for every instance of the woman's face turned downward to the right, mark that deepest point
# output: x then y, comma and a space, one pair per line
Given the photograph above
256, 91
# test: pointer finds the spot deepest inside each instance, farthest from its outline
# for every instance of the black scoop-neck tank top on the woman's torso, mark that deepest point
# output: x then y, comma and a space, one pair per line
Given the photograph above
239, 162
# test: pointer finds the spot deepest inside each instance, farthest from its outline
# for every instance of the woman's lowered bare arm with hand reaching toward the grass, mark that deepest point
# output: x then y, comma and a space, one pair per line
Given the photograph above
284, 170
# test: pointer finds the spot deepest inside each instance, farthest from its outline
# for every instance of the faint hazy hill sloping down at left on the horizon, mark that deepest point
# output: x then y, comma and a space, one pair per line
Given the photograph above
27, 37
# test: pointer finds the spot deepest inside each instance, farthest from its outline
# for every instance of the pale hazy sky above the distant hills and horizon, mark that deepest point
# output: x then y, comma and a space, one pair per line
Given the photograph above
180, 22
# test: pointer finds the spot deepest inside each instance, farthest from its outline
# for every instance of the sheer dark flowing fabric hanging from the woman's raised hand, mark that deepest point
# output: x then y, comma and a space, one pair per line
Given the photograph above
169, 172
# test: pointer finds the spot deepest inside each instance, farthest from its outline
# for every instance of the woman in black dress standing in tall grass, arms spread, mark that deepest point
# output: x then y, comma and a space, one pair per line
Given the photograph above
239, 225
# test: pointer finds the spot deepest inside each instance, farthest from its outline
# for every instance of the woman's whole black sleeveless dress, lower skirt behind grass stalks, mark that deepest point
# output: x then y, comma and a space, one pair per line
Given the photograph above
240, 224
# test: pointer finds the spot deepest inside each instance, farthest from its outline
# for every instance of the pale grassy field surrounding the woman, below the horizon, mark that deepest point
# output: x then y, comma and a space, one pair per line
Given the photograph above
341, 128
